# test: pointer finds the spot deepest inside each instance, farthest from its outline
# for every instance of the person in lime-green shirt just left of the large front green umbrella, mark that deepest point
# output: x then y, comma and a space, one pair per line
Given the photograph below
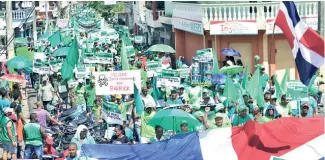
146, 131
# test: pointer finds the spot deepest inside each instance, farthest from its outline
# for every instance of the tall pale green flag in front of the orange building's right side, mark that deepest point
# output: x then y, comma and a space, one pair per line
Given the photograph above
254, 88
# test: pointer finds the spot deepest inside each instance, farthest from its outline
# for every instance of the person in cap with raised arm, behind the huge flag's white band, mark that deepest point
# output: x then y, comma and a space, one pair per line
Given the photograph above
218, 120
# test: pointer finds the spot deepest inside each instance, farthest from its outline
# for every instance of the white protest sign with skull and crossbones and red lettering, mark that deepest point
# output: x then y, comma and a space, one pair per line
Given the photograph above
117, 82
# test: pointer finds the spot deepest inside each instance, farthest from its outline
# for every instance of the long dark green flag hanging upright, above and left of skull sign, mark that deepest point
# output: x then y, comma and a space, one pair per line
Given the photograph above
71, 60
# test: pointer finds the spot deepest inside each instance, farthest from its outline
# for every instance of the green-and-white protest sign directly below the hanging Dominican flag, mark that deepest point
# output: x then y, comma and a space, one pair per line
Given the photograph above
296, 90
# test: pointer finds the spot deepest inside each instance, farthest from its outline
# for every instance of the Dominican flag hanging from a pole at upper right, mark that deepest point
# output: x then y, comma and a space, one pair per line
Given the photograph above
306, 45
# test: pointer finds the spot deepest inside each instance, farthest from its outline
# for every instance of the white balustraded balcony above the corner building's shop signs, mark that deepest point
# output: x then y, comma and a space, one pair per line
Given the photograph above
261, 12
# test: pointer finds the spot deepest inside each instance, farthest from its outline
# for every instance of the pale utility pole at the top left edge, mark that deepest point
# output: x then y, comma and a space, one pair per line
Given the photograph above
10, 31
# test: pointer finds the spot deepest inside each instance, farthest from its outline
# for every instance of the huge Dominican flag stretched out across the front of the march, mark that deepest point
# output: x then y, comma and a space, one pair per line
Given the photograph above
285, 138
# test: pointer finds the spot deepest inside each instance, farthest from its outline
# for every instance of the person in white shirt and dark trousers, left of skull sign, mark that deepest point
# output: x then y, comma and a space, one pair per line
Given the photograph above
47, 92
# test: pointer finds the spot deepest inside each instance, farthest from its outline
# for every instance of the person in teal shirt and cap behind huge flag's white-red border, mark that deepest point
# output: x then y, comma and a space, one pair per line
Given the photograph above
242, 117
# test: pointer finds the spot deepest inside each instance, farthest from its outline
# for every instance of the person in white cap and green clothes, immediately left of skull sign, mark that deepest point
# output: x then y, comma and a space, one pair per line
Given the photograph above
80, 93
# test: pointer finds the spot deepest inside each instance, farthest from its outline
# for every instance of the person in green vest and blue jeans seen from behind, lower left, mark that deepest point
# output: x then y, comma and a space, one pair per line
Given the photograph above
34, 135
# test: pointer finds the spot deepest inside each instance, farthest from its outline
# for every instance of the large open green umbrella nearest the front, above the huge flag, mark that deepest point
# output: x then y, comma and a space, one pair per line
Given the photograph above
171, 119
